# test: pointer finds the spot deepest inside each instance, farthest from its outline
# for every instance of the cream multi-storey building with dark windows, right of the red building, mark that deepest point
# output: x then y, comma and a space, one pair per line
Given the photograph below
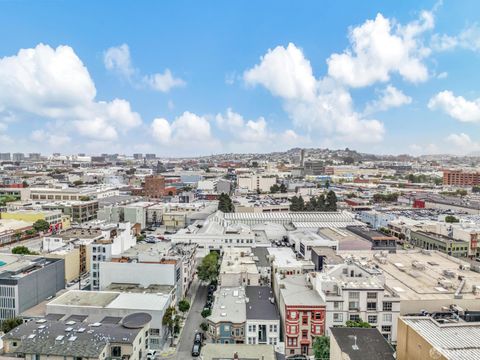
352, 292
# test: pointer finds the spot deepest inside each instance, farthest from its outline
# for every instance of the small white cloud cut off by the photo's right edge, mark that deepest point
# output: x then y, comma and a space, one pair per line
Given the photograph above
456, 106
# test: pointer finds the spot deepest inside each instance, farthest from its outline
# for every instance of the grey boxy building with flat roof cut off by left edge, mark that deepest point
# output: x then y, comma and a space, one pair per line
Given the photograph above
26, 281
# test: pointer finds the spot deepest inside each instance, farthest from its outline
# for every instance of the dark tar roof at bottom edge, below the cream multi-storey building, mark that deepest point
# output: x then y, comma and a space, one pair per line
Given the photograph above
370, 343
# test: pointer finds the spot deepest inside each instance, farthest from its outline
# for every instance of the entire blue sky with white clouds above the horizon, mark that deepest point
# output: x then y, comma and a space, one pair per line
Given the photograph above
203, 77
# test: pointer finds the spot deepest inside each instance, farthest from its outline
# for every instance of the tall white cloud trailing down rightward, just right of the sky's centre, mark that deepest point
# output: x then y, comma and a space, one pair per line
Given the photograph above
314, 105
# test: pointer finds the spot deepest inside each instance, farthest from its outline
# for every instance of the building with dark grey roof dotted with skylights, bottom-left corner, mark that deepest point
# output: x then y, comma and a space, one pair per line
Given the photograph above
72, 340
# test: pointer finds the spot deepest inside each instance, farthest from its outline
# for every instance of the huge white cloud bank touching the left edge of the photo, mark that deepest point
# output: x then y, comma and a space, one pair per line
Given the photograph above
54, 84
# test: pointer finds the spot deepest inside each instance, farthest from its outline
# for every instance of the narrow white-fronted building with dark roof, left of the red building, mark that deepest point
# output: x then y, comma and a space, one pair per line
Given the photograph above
263, 319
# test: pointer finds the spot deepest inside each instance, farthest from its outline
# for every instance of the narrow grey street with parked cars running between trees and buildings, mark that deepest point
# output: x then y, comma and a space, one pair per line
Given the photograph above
192, 324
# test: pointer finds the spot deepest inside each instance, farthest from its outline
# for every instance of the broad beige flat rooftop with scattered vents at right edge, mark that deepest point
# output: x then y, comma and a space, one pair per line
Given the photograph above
420, 274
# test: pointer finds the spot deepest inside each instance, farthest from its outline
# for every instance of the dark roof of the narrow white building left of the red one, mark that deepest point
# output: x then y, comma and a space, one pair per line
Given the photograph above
260, 306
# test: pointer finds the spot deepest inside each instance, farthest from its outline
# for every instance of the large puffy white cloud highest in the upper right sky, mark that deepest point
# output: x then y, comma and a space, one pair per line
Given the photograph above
379, 48
